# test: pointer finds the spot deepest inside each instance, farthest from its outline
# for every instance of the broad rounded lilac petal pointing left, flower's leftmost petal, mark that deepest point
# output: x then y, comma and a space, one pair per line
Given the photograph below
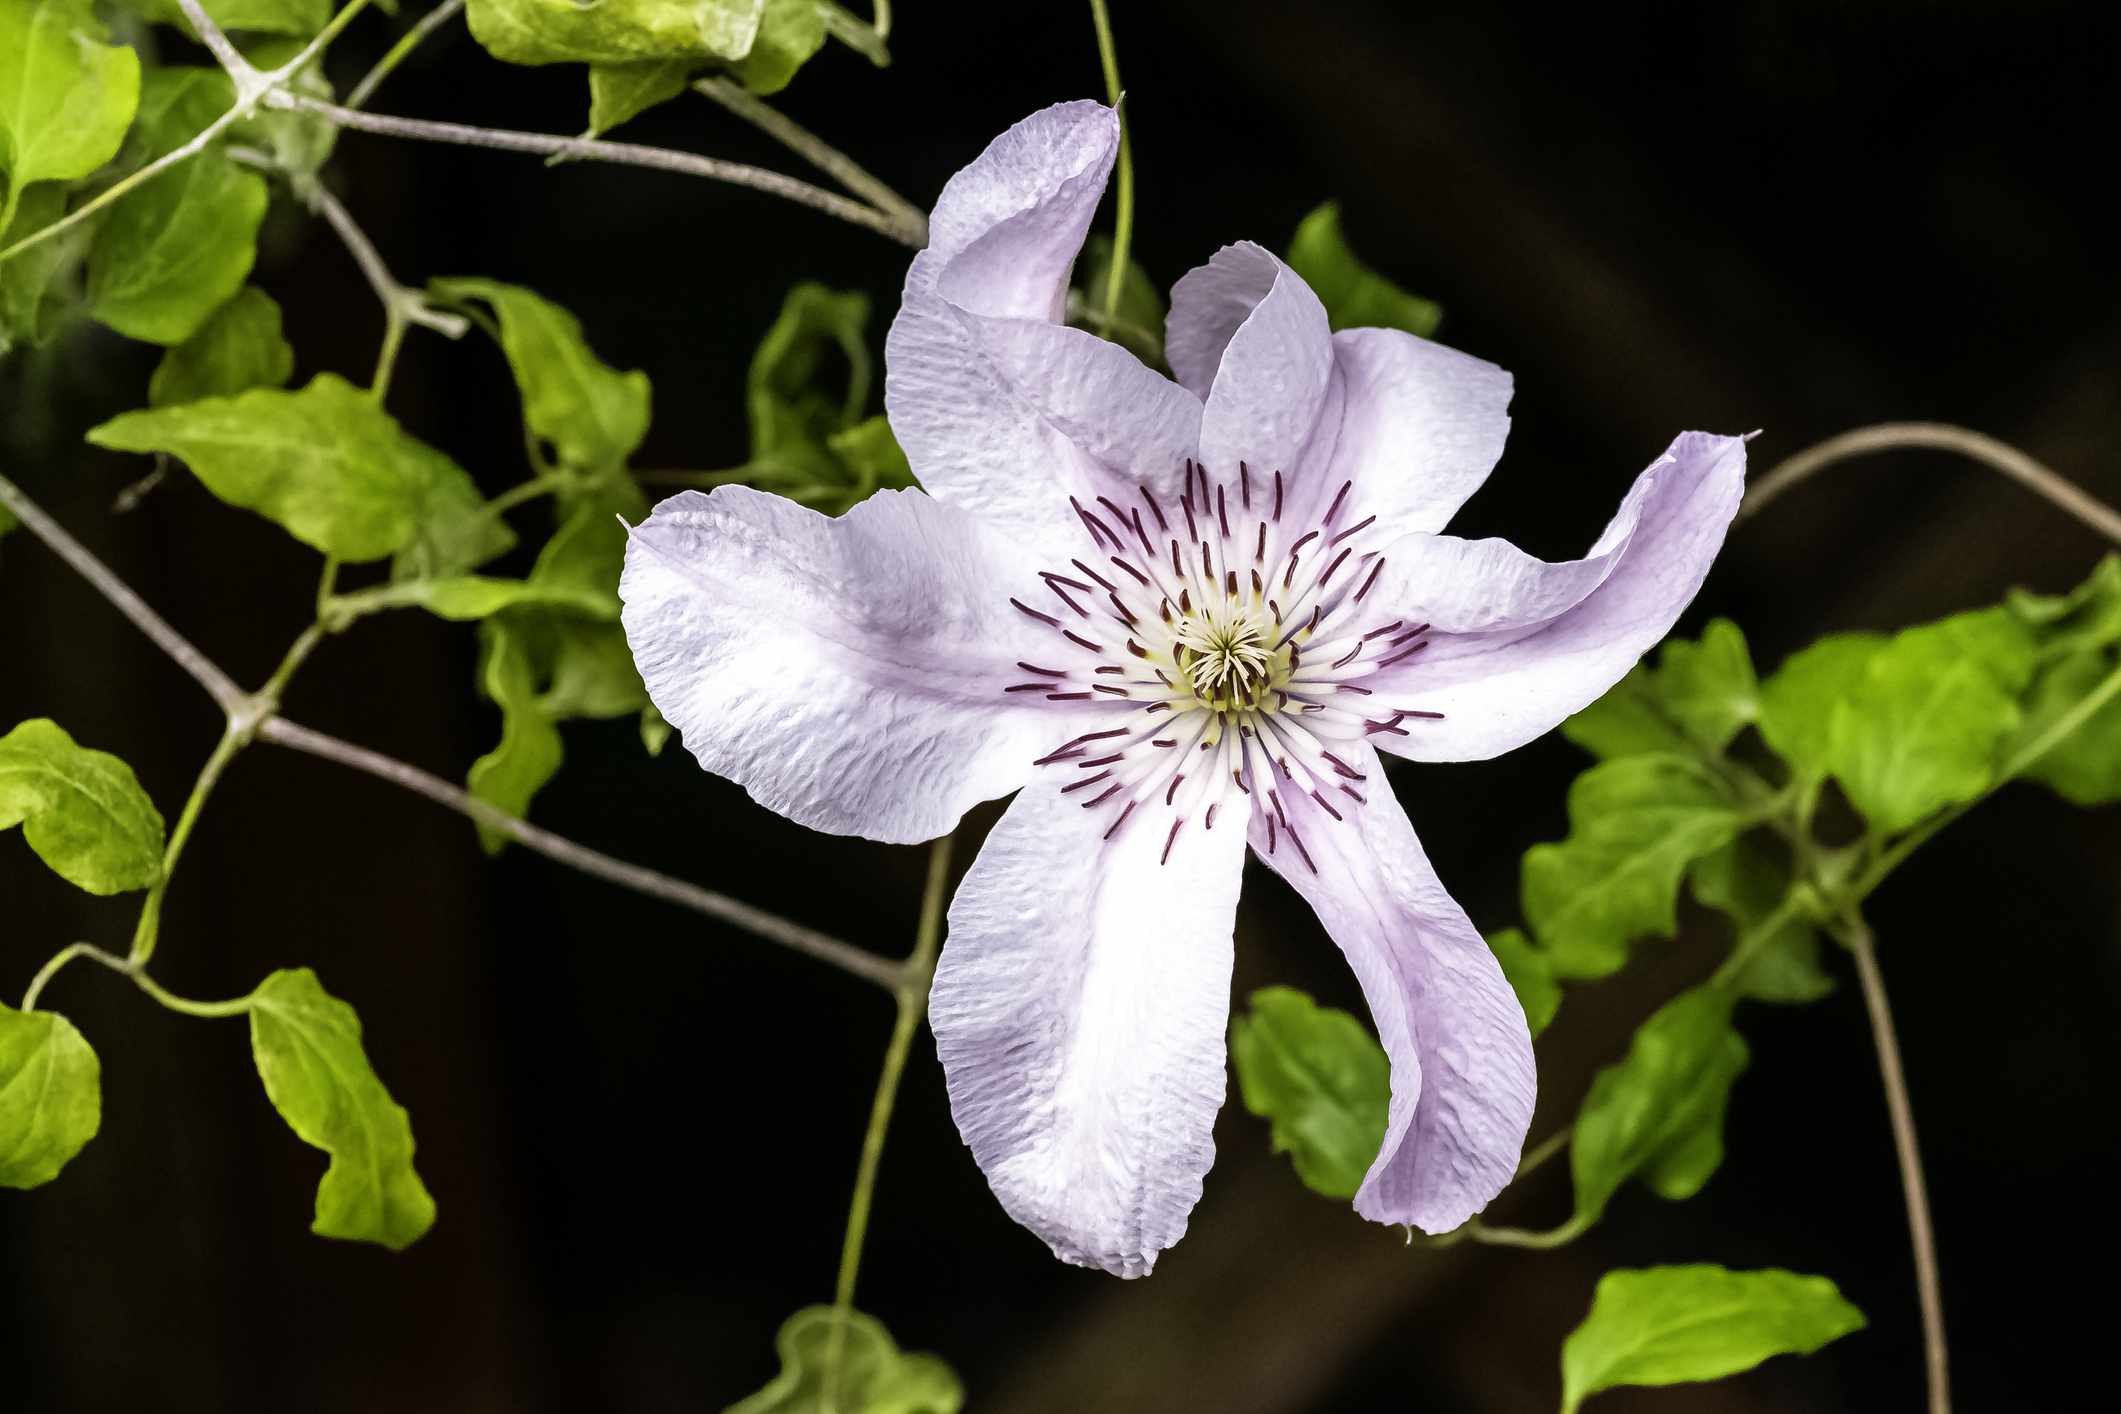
847, 673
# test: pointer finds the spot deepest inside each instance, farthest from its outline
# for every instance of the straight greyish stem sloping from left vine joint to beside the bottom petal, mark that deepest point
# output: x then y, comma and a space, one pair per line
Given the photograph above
756, 921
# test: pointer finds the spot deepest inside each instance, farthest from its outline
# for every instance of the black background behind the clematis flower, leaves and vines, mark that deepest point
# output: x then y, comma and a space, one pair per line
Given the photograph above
642, 1129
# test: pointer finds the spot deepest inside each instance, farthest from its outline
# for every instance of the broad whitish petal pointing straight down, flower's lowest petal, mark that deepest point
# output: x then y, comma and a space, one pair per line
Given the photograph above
1081, 1012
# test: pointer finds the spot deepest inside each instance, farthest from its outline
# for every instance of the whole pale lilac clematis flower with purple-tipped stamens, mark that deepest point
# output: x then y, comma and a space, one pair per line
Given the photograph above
1176, 620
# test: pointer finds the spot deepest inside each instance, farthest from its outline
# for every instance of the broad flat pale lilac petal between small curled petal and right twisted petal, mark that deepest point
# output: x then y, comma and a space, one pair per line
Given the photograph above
1420, 431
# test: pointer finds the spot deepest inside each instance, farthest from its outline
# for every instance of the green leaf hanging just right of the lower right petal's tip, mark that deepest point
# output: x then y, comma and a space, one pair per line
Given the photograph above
1660, 1110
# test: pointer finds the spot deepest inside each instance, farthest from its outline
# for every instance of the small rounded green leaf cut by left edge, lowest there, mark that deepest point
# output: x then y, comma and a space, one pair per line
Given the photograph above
52, 1097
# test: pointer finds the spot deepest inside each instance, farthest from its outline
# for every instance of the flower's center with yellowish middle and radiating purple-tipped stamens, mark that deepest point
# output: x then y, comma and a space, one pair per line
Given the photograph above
1225, 650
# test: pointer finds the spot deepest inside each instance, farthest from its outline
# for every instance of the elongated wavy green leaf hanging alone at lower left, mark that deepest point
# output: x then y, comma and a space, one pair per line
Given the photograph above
309, 1053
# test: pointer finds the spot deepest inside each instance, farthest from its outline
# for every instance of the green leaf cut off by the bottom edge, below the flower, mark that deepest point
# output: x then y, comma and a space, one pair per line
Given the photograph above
875, 1377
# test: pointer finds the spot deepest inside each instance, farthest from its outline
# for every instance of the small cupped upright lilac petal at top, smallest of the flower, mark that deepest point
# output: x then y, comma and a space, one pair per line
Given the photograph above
1250, 332
